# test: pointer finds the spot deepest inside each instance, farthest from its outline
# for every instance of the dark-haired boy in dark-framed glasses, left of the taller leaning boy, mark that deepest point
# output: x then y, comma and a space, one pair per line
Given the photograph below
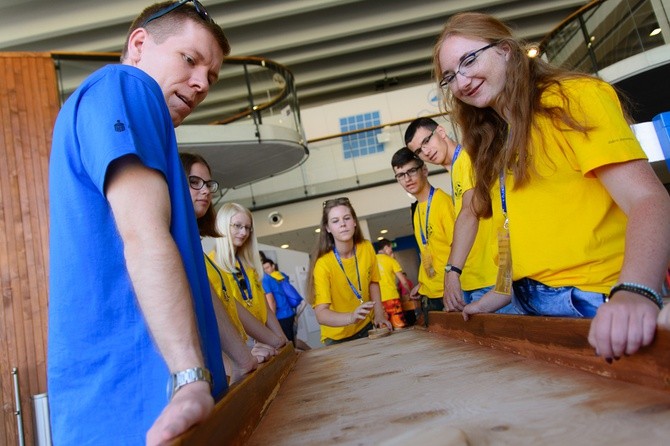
433, 221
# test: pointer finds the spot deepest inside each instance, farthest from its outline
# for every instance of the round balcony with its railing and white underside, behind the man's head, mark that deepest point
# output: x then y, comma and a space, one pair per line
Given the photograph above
248, 127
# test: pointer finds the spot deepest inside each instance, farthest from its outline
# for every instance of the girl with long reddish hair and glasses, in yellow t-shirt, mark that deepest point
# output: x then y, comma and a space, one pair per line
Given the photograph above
581, 216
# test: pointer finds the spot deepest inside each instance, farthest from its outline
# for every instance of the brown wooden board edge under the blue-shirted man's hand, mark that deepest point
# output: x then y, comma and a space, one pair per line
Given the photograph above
238, 413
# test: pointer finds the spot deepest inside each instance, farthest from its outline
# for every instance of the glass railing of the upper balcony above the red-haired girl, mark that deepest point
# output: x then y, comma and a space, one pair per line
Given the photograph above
605, 32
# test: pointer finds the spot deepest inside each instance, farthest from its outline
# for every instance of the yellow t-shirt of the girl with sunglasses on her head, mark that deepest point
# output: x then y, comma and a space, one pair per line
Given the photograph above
331, 286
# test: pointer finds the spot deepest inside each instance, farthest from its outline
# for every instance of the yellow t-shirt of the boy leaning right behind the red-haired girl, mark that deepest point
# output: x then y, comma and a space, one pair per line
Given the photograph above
480, 269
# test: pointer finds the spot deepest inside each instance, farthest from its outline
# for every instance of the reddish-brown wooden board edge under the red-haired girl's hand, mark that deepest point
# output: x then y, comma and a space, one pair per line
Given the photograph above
561, 341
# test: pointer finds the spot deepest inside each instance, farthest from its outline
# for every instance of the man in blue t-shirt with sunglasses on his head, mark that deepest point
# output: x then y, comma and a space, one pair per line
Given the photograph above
130, 309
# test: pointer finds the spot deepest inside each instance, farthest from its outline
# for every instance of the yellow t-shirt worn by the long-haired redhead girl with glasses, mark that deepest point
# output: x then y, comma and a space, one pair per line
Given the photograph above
565, 229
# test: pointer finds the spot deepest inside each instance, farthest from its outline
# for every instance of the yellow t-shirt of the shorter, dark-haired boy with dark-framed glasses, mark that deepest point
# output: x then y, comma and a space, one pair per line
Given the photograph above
439, 236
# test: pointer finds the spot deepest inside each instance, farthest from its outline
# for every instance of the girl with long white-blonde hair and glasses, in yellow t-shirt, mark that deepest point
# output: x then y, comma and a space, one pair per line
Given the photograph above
237, 254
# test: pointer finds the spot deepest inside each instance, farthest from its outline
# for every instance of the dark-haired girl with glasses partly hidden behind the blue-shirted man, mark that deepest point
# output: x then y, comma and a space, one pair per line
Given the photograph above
235, 321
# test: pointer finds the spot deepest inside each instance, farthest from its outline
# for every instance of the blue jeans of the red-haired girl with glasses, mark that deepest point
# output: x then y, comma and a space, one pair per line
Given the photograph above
535, 298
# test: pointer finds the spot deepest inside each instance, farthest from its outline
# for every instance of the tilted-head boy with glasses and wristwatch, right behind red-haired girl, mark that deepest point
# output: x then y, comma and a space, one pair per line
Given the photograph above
471, 270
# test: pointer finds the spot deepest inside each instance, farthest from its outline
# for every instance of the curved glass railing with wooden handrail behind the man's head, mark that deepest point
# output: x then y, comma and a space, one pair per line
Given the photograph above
250, 88
